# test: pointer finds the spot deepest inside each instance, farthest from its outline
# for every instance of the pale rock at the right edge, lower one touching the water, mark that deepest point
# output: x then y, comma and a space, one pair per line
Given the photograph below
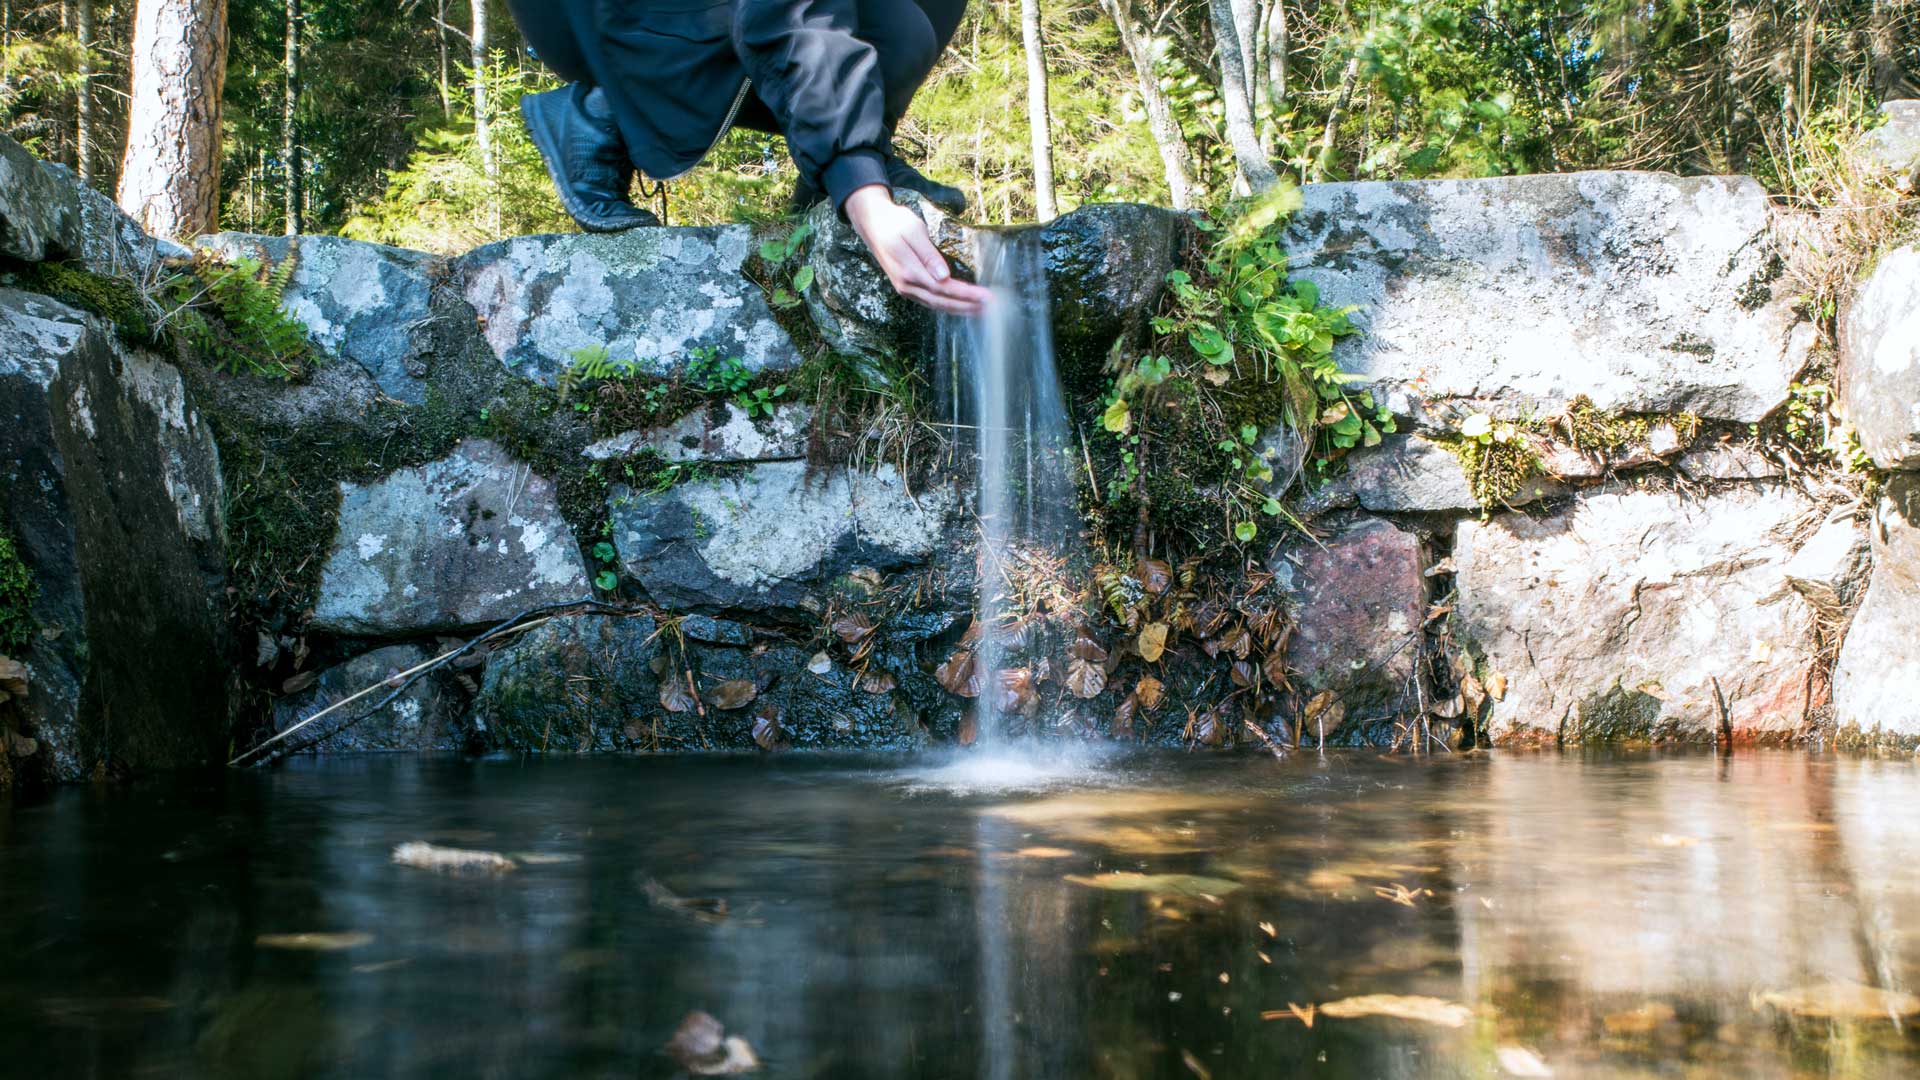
1877, 683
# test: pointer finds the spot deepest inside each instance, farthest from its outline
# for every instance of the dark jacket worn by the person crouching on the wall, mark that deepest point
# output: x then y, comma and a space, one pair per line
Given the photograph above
681, 72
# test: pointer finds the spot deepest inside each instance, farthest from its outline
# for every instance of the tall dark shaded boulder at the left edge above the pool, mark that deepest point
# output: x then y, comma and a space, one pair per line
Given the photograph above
112, 493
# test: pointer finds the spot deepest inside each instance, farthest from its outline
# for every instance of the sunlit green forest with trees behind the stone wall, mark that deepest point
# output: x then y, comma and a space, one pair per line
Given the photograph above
396, 120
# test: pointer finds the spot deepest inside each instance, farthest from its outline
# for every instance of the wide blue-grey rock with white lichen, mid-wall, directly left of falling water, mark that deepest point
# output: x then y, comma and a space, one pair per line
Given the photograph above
771, 537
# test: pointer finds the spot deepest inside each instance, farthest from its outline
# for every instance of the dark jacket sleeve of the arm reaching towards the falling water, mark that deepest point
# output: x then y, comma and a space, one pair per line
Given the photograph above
823, 86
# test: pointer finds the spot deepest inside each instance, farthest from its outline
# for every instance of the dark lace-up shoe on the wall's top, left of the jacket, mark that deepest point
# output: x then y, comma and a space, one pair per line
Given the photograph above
575, 134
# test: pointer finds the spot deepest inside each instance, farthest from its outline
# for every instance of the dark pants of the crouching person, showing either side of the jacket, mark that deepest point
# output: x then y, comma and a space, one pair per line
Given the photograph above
907, 36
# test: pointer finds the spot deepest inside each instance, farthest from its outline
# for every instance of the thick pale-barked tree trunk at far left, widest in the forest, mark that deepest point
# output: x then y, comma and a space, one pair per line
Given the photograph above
172, 176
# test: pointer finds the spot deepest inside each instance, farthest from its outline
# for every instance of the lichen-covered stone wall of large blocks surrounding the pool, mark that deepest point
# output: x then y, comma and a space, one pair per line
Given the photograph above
226, 556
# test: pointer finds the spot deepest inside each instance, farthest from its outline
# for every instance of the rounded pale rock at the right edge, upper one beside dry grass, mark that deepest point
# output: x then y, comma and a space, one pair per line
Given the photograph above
1881, 360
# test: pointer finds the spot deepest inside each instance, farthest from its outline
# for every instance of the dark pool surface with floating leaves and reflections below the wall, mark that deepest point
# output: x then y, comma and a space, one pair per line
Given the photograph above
1621, 916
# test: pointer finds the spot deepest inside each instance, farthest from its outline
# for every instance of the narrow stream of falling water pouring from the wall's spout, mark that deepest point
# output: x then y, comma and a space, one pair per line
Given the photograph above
1001, 391
